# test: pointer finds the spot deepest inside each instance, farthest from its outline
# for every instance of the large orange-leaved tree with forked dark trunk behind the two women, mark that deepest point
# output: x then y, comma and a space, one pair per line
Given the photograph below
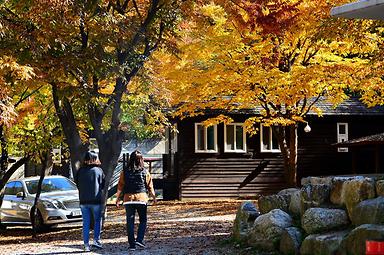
88, 52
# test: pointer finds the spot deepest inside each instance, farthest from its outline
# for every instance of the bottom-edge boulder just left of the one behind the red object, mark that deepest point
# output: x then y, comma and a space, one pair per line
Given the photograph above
323, 244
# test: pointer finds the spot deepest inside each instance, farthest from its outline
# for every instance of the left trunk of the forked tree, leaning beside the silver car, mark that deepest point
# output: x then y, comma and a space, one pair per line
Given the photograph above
68, 123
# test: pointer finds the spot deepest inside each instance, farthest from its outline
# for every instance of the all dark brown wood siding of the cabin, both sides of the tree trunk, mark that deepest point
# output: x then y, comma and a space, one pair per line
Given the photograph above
219, 175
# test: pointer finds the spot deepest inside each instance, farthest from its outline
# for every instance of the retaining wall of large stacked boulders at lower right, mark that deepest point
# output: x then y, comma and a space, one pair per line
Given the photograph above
329, 215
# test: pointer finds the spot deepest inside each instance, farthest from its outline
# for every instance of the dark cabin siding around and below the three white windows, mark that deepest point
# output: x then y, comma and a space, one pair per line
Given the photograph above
219, 175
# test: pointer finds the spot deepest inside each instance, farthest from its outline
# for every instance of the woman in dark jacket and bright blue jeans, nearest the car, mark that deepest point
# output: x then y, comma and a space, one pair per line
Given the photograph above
90, 182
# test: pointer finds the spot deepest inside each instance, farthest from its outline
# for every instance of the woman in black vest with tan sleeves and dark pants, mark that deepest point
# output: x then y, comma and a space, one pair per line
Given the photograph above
135, 182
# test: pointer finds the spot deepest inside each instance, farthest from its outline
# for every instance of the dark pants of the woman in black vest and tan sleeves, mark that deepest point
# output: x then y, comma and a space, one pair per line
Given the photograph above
130, 210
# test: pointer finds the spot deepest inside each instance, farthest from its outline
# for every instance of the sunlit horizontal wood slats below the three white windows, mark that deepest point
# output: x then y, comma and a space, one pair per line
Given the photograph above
221, 178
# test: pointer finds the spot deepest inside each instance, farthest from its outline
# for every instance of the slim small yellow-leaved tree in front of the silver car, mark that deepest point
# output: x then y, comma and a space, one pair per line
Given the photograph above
36, 133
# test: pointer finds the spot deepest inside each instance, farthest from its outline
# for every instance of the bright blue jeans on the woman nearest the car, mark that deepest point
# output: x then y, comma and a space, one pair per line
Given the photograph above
86, 211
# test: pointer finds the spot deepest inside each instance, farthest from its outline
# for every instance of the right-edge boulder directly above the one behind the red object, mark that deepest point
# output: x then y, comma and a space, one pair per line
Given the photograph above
370, 211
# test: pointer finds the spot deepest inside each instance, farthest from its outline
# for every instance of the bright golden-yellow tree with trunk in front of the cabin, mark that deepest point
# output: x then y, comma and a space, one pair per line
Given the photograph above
282, 56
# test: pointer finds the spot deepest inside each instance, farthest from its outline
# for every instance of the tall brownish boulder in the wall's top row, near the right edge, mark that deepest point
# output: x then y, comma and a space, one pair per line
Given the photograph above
356, 190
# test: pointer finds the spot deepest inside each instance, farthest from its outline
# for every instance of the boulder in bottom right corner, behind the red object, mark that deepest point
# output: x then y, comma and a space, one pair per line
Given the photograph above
354, 243
